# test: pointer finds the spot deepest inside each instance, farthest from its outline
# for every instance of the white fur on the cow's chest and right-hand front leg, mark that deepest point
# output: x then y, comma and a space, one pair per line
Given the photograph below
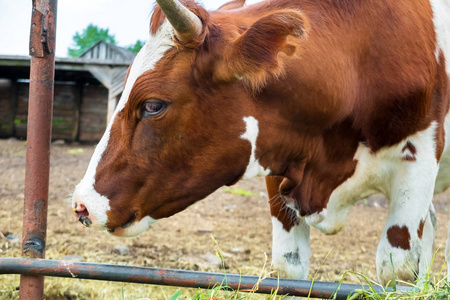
408, 185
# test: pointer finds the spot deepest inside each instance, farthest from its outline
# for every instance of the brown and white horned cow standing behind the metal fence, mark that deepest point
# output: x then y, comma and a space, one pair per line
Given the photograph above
337, 100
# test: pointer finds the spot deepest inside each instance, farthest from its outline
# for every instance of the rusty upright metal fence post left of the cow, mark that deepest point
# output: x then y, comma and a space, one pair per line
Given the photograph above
40, 110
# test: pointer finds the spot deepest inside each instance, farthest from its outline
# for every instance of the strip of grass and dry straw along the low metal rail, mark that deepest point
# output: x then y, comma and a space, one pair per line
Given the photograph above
430, 287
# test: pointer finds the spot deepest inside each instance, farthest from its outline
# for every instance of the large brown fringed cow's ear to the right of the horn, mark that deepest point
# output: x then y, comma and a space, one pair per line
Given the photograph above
257, 54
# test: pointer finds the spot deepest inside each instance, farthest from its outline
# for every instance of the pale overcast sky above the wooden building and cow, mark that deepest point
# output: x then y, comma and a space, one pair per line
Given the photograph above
128, 20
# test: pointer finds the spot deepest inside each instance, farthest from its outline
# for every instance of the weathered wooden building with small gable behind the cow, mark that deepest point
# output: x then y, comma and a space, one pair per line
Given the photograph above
86, 92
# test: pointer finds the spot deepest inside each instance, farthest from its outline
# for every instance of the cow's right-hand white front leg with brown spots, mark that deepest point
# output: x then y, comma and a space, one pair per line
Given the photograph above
406, 246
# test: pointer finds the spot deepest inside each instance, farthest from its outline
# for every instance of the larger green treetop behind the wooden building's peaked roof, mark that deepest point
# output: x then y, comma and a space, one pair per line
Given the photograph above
91, 35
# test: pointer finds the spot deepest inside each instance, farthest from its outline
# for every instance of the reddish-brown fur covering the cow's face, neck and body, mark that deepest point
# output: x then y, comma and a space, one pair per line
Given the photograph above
320, 76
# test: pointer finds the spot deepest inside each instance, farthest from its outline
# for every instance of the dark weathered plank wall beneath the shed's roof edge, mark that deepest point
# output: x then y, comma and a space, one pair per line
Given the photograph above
79, 111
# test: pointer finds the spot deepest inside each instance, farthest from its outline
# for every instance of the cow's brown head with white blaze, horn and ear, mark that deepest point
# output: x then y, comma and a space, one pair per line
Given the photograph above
187, 121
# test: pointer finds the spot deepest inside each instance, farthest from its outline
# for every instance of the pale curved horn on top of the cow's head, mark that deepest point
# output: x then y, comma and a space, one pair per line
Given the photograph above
186, 24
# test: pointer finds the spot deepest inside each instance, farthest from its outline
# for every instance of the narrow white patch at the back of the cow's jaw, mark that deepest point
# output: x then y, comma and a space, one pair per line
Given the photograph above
251, 134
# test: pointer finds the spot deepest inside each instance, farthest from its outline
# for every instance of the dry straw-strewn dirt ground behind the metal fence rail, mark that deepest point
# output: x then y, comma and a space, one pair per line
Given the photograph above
239, 223
